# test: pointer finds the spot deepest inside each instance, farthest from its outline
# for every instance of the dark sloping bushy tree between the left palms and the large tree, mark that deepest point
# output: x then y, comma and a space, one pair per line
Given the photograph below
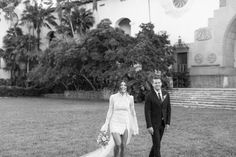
60, 65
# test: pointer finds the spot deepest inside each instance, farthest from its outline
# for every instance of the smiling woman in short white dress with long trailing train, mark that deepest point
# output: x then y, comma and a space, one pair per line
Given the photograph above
121, 122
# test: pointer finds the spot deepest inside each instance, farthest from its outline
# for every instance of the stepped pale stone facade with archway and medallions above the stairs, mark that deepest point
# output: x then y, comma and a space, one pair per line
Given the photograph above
213, 53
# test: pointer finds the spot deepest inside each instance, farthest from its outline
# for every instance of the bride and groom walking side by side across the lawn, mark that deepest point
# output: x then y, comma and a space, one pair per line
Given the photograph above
121, 121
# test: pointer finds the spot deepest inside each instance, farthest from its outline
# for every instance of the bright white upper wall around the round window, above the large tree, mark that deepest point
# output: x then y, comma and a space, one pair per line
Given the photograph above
138, 12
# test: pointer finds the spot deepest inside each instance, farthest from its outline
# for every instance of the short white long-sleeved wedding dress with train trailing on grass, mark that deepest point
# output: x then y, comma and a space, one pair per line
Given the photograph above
121, 115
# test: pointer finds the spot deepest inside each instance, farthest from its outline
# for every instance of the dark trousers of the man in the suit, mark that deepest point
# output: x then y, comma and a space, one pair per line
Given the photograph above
156, 140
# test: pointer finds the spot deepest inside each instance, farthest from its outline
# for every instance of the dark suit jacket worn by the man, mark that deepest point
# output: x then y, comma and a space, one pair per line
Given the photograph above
155, 109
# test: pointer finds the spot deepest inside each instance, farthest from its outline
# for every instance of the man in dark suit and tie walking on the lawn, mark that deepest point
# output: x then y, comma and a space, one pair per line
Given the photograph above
157, 114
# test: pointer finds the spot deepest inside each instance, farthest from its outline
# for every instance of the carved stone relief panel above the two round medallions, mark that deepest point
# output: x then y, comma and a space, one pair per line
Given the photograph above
203, 34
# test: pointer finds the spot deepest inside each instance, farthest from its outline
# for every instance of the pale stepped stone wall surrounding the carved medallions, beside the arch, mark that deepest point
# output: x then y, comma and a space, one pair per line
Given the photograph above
218, 27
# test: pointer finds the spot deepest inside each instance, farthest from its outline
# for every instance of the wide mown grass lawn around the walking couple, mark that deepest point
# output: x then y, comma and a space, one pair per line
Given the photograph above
39, 127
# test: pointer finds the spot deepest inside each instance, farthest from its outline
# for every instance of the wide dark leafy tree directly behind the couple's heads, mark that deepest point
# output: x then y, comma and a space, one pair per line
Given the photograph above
109, 55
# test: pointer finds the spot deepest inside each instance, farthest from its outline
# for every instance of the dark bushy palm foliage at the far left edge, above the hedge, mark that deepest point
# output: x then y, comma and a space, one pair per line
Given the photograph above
18, 53
